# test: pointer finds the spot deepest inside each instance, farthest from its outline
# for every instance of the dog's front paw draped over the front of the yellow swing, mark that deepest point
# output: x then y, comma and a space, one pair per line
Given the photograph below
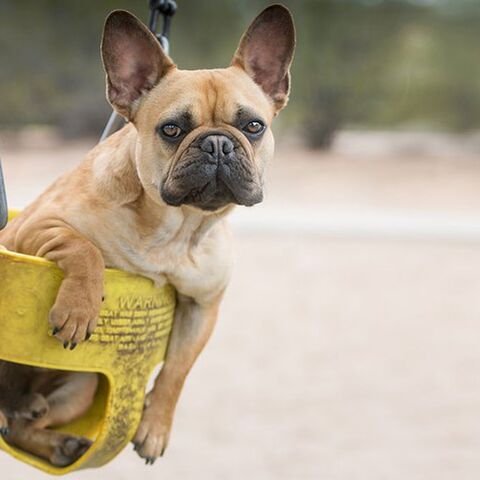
74, 315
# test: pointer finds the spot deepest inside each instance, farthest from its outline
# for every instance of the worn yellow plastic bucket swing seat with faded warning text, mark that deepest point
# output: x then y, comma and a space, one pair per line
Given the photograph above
129, 342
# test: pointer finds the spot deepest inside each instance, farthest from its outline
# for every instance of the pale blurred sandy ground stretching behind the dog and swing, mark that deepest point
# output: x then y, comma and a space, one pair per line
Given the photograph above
333, 358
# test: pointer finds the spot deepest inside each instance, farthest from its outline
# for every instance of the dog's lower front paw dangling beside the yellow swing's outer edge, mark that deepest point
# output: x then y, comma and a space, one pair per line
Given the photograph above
152, 436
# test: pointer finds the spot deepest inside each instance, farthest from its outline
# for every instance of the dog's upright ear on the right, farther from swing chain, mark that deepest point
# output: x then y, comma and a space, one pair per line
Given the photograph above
266, 52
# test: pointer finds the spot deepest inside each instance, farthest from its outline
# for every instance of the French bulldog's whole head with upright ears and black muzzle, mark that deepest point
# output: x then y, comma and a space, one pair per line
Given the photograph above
203, 136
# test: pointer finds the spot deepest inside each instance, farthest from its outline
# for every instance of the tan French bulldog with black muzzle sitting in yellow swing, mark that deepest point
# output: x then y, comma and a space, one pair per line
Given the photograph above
152, 199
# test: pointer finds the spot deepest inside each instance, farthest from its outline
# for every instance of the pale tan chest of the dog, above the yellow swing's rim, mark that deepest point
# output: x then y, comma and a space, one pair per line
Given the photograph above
177, 252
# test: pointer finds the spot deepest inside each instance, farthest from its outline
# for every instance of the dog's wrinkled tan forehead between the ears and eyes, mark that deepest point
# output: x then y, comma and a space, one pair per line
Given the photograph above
210, 98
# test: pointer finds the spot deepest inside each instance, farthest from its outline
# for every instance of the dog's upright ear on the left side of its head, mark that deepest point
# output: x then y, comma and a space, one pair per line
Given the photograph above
133, 60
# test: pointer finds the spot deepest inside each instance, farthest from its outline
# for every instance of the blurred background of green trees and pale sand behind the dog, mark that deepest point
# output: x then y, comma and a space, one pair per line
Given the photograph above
347, 346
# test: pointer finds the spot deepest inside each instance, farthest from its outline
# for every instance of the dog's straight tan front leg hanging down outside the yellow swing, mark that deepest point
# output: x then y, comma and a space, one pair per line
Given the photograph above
192, 327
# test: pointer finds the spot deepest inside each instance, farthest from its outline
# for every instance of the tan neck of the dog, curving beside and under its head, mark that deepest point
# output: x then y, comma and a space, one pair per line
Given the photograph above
117, 180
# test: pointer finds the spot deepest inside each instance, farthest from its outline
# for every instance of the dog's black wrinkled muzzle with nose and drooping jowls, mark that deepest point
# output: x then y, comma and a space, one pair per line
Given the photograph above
214, 171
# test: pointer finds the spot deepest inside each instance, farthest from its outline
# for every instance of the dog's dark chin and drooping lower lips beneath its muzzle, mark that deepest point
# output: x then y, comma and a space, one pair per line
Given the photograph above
212, 197
